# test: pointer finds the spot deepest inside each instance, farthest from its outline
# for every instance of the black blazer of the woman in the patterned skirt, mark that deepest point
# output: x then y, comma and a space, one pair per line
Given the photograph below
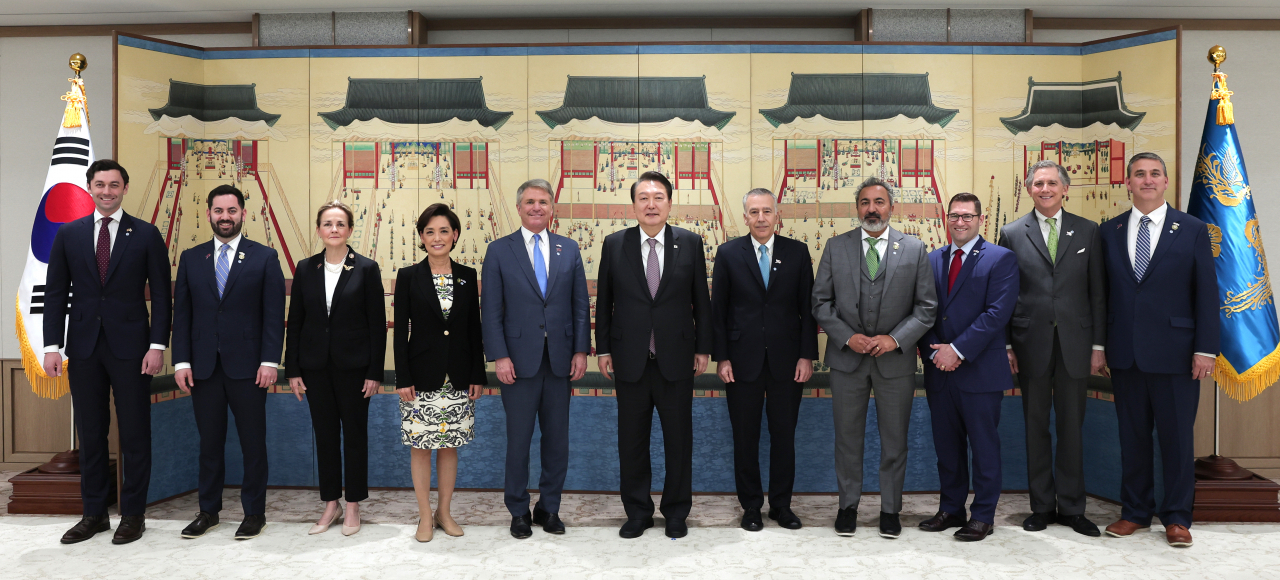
427, 345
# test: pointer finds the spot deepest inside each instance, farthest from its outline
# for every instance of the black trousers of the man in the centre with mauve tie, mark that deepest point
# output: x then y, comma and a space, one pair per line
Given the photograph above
675, 404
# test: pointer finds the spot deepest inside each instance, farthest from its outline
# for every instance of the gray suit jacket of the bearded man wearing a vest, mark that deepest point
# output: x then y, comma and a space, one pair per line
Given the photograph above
908, 307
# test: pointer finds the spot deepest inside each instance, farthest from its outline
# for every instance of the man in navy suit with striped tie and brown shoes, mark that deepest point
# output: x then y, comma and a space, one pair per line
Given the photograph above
1163, 339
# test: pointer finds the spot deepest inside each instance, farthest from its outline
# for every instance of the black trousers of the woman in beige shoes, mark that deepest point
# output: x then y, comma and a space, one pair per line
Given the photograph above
340, 418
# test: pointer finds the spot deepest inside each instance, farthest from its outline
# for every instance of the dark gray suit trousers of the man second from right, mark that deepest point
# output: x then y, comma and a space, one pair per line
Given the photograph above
1063, 491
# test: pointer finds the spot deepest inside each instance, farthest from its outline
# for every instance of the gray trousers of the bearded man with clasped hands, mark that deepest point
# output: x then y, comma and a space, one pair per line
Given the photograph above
851, 394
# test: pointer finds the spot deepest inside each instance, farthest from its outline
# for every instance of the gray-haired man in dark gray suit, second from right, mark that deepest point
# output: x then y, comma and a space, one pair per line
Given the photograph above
1055, 341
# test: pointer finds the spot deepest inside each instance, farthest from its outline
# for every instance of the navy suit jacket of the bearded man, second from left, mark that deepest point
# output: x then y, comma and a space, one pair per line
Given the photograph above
245, 328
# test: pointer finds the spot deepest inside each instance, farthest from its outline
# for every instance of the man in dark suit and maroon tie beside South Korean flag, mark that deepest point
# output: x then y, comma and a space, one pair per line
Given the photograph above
112, 259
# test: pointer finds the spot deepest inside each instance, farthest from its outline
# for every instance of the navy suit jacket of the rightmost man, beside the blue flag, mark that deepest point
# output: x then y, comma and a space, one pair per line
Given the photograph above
1159, 323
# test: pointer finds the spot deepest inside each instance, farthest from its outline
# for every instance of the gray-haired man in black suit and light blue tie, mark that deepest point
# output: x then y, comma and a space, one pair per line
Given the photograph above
766, 344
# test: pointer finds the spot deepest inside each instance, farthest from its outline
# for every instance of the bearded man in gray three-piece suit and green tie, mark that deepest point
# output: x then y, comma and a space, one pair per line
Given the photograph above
875, 298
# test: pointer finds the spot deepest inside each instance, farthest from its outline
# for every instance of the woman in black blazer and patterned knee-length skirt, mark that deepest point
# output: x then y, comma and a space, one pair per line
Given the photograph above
440, 364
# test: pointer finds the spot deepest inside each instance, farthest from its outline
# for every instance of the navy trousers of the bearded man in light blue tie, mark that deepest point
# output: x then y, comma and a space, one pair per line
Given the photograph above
248, 401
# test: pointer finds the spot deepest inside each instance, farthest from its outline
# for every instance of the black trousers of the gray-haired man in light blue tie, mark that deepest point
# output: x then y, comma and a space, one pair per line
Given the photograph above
747, 403
